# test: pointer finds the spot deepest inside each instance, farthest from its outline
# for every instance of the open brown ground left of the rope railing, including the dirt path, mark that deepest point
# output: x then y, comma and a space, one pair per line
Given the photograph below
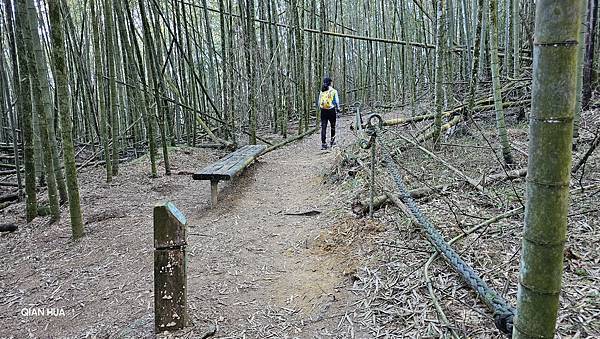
254, 271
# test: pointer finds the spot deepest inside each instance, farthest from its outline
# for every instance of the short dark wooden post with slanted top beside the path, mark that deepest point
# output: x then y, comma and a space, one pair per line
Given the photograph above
170, 309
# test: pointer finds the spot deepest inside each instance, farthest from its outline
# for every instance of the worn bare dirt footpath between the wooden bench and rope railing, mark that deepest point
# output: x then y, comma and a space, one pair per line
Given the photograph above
255, 268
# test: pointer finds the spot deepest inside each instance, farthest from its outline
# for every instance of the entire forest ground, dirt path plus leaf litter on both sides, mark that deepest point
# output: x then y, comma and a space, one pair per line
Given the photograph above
255, 271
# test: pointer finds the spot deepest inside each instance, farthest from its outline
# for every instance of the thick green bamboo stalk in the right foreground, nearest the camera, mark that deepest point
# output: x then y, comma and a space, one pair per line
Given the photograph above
548, 168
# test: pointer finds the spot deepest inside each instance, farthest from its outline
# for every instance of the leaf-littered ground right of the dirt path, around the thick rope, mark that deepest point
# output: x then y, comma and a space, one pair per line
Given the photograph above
402, 292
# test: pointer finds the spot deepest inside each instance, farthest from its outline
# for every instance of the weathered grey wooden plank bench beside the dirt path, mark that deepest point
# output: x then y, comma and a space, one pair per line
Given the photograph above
228, 167
